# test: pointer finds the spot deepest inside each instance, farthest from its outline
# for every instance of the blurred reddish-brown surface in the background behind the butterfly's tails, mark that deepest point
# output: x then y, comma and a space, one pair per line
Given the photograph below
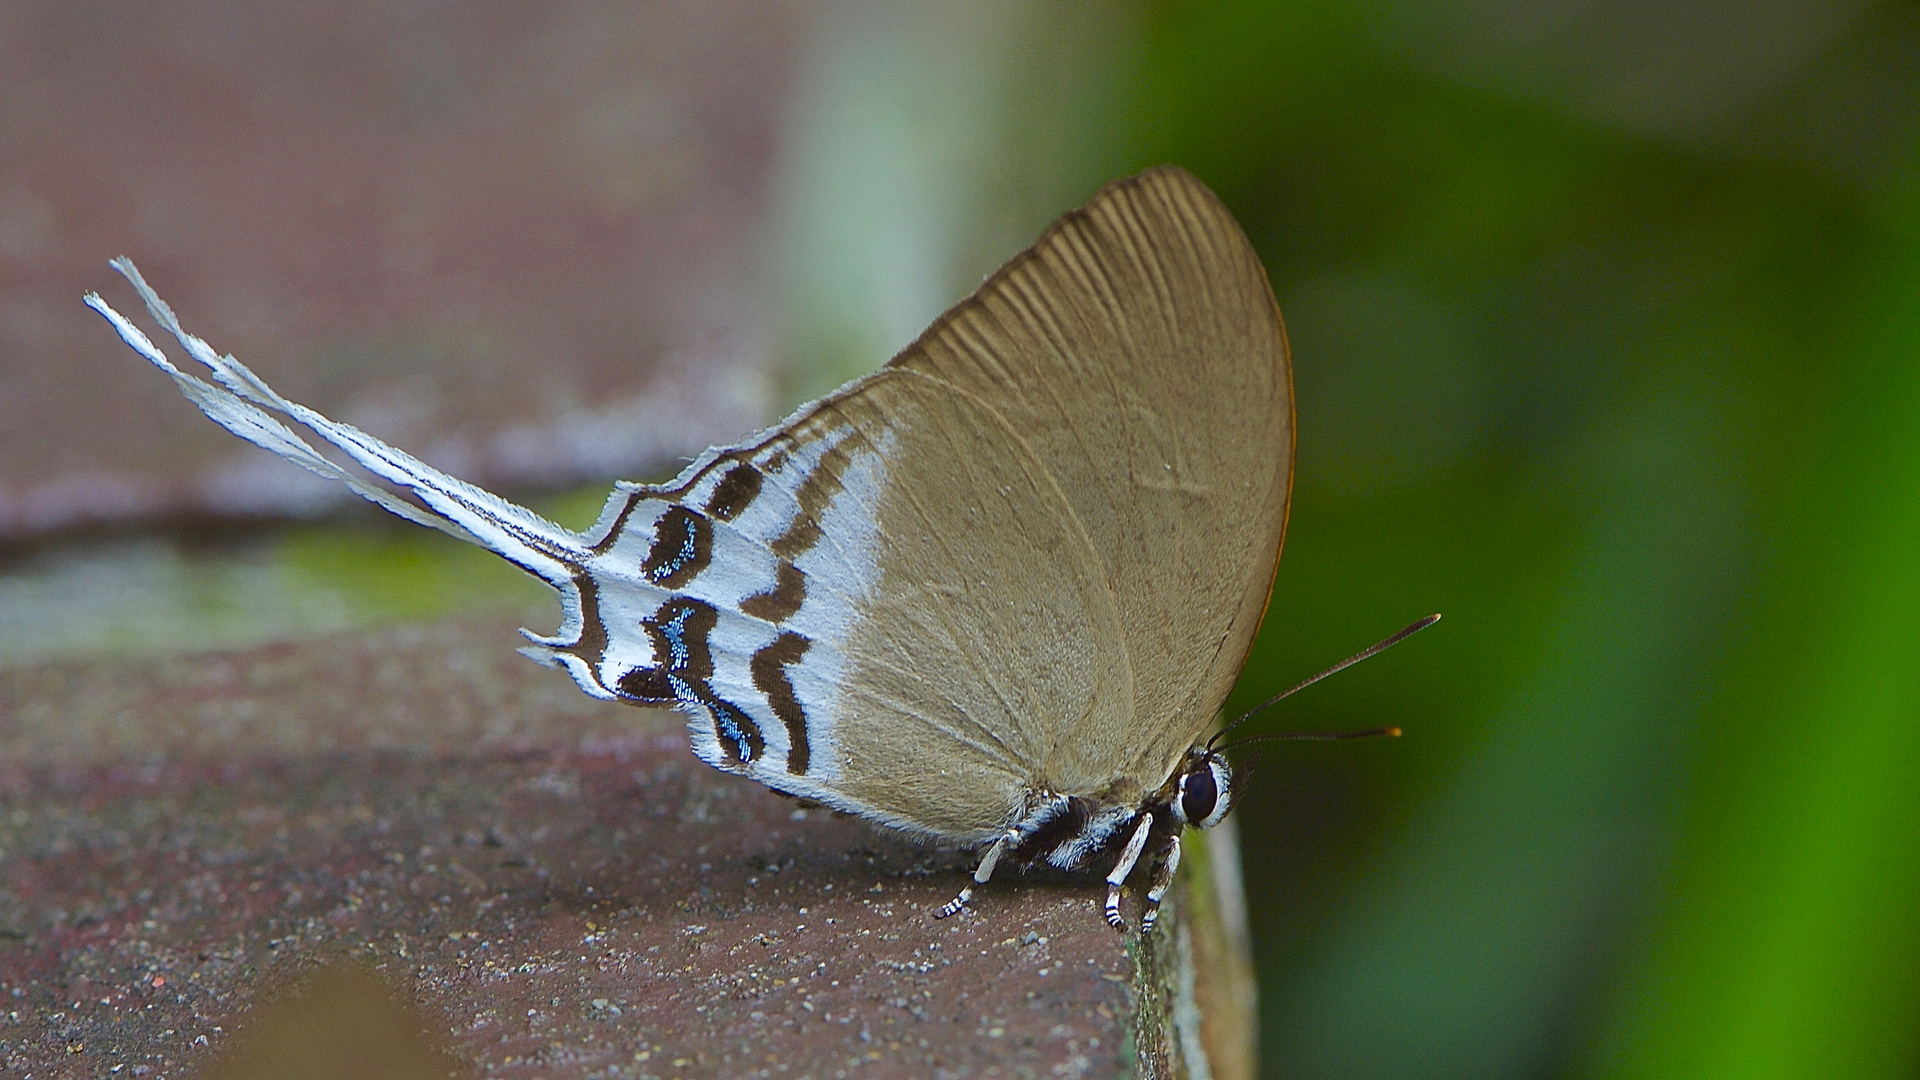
517, 239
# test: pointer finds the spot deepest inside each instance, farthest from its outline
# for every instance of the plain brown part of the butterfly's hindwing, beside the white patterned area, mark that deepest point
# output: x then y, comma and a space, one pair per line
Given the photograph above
990, 626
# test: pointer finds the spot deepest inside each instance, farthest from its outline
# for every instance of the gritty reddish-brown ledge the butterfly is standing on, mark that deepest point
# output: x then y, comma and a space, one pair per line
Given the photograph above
556, 883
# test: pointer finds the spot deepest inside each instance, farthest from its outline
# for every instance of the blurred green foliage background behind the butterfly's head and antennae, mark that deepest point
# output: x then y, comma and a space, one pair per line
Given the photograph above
1606, 330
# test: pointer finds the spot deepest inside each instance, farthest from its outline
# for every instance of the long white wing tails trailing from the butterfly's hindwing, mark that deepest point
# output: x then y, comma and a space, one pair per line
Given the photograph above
241, 401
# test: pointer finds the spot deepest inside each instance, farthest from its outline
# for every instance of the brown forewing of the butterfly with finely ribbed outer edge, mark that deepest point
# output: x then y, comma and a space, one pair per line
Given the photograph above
1140, 356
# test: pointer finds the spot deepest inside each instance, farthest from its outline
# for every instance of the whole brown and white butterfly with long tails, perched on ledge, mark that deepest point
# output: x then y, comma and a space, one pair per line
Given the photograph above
990, 595
